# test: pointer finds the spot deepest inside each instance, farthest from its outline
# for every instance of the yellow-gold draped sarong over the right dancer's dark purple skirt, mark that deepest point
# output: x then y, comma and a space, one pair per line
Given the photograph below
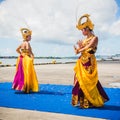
87, 77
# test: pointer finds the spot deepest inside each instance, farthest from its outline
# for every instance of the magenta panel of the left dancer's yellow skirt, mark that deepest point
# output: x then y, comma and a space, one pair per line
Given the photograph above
18, 82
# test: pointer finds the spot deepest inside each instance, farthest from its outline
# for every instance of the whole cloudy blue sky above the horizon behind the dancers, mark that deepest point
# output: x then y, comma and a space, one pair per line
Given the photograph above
53, 25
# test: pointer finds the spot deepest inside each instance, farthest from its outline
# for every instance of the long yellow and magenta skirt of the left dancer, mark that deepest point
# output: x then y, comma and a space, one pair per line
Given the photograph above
25, 78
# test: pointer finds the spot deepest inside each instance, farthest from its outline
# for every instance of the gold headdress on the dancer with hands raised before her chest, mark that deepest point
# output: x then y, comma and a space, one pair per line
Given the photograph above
88, 23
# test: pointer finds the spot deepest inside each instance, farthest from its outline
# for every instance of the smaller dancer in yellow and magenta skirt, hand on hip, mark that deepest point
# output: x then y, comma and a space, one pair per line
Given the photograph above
25, 78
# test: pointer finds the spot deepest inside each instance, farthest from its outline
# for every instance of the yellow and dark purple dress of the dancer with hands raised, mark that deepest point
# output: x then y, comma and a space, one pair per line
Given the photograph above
86, 91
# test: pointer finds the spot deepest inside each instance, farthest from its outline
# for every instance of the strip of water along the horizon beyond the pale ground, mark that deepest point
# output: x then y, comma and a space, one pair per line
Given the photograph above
46, 60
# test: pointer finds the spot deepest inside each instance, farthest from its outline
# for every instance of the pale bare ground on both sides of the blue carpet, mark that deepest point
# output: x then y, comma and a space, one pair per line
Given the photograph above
109, 76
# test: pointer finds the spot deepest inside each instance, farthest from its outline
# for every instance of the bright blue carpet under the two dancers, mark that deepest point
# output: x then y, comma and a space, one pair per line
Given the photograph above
57, 98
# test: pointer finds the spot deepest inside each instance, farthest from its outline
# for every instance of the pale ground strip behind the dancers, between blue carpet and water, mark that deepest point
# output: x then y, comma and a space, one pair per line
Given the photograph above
108, 71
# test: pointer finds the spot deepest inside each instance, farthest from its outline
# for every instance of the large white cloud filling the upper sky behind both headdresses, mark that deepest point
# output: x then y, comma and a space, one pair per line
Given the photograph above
55, 20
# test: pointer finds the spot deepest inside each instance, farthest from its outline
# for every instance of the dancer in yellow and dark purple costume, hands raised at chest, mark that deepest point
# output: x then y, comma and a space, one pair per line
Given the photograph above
87, 91
